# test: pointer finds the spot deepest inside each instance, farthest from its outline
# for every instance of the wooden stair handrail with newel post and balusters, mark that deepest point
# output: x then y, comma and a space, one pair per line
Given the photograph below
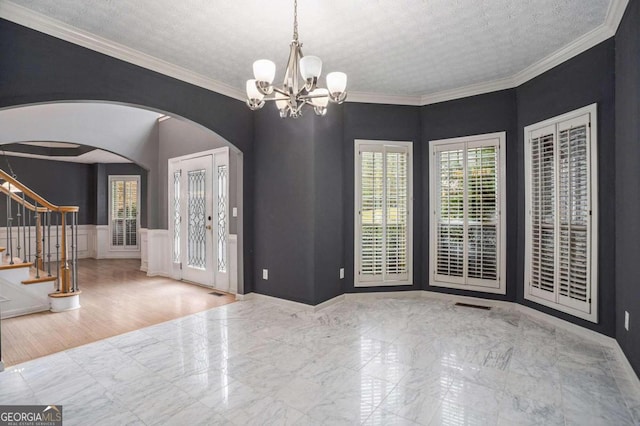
28, 212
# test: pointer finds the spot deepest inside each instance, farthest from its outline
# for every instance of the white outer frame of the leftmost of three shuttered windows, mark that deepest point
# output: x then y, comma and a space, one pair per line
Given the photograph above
383, 144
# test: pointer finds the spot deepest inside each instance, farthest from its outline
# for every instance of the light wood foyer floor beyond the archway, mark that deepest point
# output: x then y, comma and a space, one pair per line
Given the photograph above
116, 298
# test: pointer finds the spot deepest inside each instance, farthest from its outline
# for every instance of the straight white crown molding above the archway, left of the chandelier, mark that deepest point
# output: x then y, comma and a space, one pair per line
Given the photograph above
44, 24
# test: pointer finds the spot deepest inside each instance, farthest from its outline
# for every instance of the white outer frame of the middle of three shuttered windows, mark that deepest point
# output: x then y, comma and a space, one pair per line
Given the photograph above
465, 143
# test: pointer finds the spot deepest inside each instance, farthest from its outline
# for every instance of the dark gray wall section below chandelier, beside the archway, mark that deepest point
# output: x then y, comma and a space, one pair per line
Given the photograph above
284, 205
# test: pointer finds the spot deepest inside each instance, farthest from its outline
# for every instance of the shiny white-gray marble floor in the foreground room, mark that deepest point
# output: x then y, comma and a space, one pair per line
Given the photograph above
379, 361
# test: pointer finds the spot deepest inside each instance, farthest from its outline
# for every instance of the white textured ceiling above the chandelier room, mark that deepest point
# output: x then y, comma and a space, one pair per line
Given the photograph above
387, 47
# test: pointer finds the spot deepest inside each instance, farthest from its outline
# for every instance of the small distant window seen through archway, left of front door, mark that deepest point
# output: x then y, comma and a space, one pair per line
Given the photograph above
124, 199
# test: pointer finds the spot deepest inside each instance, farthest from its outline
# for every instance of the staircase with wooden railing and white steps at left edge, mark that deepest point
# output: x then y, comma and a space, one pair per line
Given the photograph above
38, 271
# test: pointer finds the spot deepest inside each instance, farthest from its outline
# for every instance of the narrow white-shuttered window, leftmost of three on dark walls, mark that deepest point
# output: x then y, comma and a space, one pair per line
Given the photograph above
383, 216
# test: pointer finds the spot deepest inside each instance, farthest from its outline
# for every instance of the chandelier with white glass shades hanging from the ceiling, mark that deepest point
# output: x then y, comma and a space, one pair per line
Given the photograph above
300, 82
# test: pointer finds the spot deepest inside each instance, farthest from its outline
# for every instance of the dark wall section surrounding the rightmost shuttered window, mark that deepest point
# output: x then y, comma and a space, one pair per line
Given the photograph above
585, 79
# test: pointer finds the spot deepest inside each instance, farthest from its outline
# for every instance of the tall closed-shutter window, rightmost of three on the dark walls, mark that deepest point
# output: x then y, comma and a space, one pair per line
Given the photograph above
560, 182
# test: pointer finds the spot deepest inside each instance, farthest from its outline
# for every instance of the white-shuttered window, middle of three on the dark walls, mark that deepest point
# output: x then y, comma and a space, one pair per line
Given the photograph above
467, 223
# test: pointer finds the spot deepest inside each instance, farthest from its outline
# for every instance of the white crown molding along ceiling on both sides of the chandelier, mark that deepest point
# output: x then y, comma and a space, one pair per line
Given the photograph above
63, 31
